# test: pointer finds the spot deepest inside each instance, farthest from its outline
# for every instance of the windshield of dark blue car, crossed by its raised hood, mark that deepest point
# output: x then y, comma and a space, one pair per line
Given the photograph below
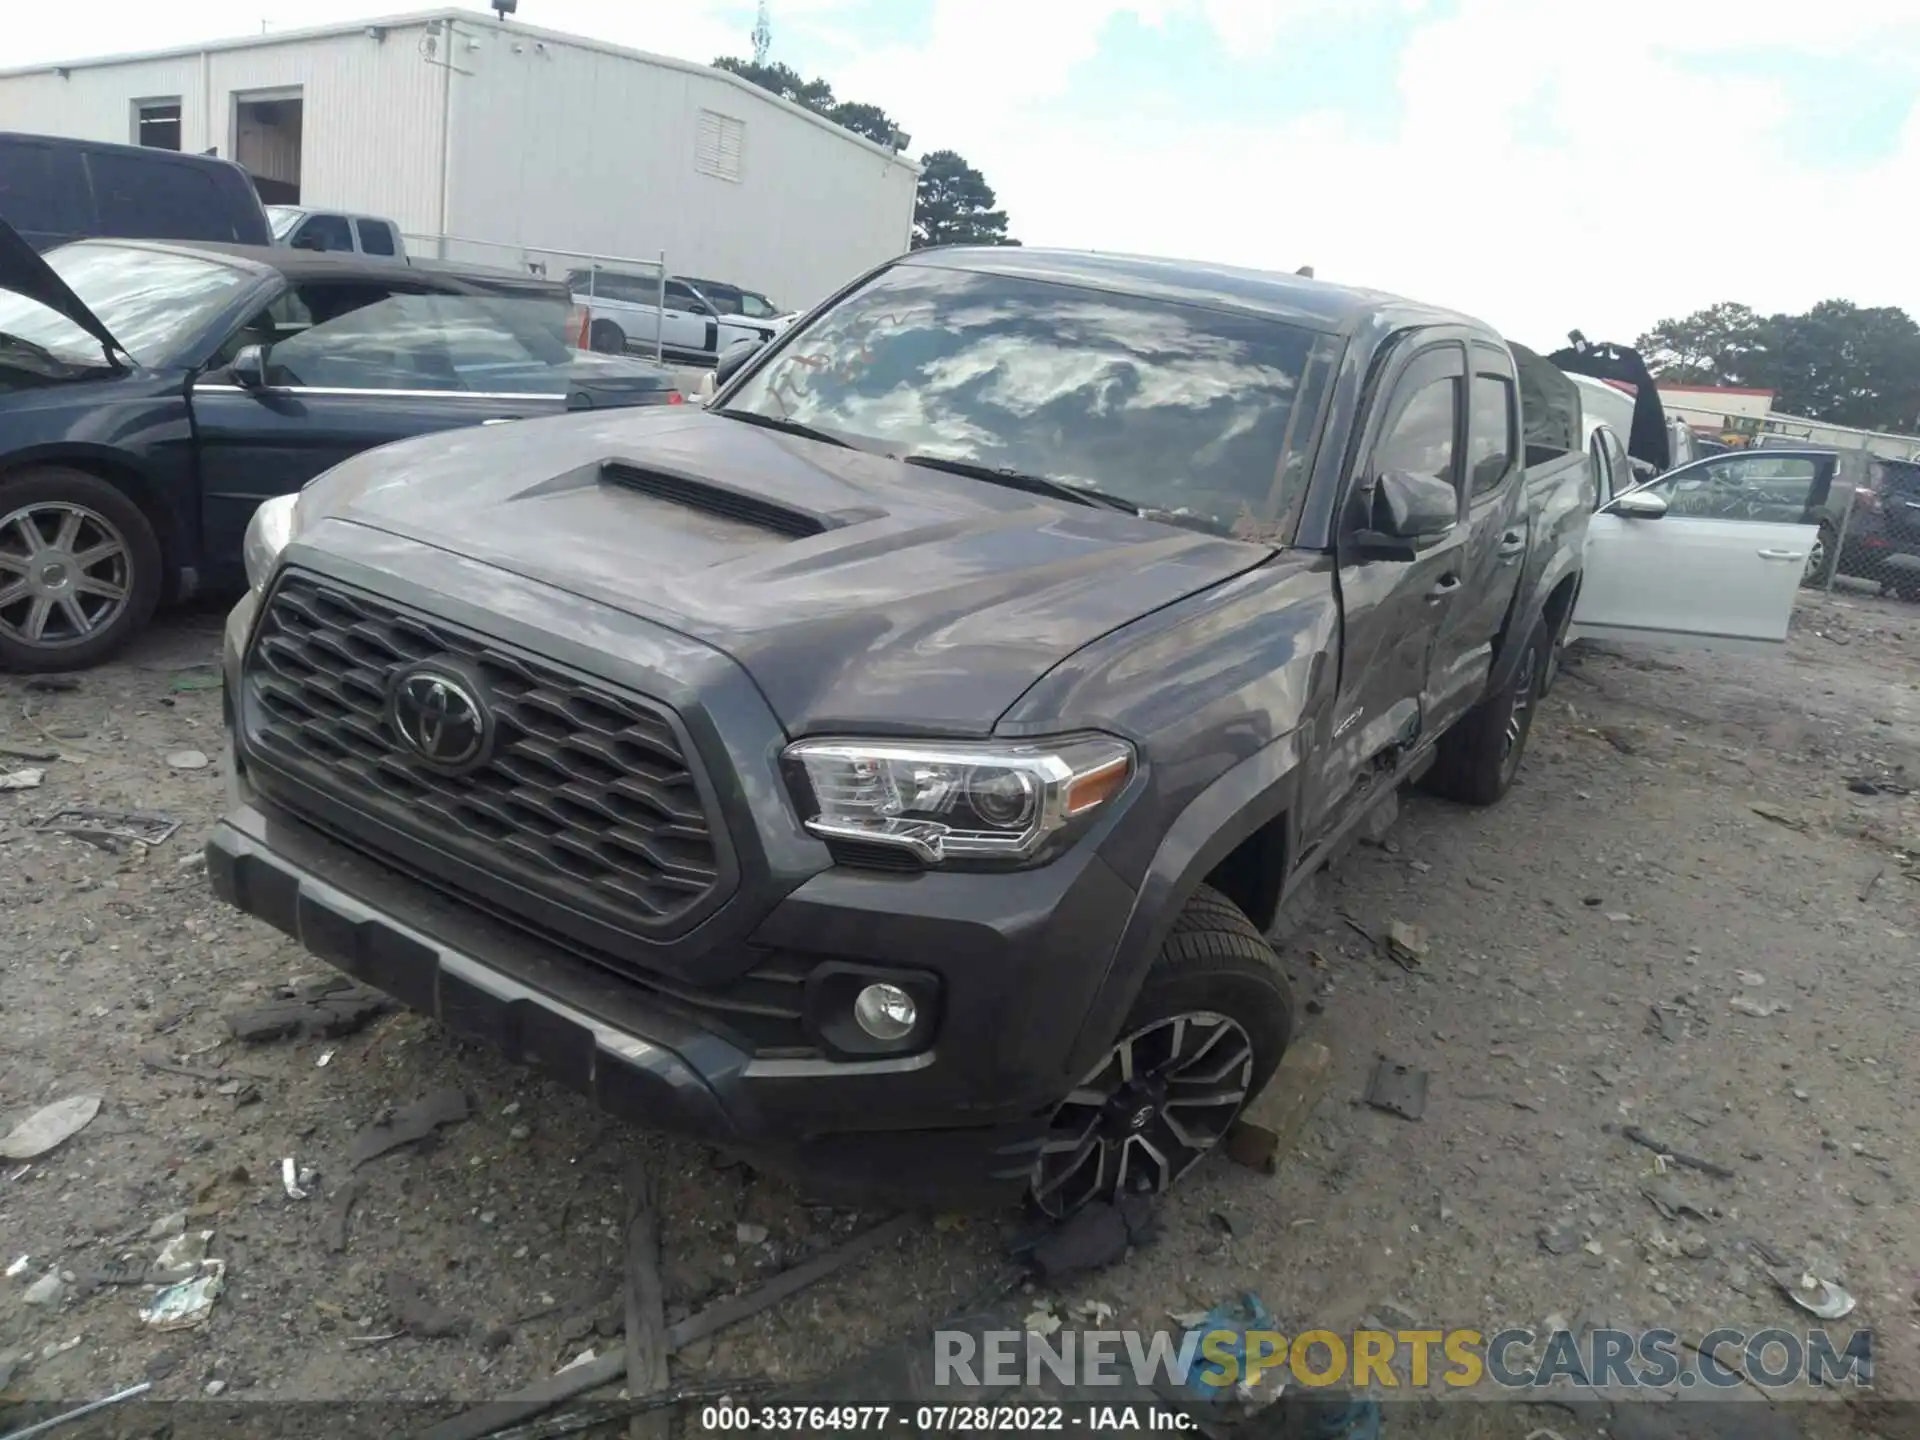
149, 300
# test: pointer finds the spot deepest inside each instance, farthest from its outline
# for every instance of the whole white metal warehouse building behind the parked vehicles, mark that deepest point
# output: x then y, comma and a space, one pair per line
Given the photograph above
508, 145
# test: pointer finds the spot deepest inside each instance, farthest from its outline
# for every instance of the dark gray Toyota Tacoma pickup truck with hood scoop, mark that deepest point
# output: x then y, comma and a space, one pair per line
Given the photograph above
892, 771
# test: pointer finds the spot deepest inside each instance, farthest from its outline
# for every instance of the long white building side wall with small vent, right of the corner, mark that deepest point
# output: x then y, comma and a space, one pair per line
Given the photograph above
571, 149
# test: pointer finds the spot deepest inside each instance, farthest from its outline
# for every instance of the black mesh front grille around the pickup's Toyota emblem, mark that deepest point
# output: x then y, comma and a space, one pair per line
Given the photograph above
587, 800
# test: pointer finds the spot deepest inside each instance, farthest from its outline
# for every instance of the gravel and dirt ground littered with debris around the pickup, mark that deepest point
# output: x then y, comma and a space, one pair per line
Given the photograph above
1598, 951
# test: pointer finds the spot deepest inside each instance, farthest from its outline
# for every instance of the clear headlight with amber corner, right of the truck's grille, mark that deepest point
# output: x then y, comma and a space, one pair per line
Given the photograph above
957, 800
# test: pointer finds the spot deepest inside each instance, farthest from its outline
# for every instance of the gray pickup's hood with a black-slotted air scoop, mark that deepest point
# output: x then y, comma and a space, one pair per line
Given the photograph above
859, 592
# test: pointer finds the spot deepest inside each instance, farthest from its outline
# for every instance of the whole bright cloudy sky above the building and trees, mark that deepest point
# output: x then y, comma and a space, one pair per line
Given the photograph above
1543, 164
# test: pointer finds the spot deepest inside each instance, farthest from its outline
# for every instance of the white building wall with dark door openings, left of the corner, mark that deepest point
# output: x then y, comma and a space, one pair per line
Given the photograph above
372, 112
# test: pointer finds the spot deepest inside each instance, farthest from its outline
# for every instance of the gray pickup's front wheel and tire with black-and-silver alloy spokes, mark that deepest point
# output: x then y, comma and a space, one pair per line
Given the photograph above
1216, 1005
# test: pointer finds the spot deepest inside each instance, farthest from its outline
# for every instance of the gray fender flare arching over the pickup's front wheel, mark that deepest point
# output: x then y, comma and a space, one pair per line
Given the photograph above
1241, 802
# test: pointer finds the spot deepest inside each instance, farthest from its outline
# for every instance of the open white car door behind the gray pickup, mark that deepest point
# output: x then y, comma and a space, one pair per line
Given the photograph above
1708, 556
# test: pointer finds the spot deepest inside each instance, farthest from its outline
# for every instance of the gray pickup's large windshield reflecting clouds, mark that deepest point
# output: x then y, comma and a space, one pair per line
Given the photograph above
1172, 408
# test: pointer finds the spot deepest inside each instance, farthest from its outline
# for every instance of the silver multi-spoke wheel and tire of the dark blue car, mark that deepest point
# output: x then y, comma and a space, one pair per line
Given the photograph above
59, 608
